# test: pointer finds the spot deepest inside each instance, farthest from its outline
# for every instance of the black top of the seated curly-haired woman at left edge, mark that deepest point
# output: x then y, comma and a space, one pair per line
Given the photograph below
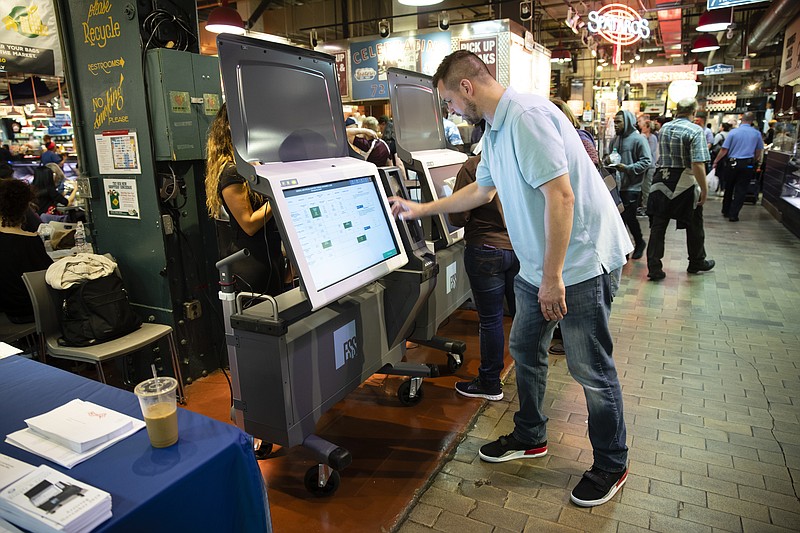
22, 253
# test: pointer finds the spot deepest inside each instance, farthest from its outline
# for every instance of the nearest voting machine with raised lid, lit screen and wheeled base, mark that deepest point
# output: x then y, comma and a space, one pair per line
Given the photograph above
294, 356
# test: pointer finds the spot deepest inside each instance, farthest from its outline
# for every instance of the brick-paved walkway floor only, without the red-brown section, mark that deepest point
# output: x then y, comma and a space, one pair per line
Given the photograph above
710, 372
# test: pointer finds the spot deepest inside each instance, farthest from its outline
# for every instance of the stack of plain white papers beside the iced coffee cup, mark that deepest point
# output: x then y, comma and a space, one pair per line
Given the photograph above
74, 432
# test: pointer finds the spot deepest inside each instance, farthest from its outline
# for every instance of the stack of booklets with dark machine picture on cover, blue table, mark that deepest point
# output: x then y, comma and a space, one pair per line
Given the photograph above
45, 500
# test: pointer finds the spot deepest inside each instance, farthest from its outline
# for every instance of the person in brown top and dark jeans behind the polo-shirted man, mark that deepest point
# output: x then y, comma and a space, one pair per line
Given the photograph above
491, 266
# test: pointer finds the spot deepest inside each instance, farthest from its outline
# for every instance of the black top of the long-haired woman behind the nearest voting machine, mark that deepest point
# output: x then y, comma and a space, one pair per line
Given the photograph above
263, 270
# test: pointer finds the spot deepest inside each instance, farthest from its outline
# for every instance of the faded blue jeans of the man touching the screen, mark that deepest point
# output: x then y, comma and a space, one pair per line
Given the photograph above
587, 341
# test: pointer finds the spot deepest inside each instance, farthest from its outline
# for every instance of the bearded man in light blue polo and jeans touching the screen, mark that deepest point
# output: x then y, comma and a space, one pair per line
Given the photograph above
571, 243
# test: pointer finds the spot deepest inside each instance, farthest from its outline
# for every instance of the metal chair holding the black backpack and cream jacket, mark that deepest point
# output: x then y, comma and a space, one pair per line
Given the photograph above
45, 309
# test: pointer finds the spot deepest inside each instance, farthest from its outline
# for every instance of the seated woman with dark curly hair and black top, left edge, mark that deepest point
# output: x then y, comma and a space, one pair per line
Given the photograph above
23, 251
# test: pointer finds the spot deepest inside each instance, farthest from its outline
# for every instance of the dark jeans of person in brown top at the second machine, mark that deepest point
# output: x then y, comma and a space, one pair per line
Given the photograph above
491, 274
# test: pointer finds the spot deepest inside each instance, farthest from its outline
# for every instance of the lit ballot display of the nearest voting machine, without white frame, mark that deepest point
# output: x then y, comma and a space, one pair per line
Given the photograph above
341, 227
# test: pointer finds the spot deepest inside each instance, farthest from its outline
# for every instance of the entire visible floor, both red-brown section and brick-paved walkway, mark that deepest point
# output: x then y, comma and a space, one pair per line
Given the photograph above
710, 371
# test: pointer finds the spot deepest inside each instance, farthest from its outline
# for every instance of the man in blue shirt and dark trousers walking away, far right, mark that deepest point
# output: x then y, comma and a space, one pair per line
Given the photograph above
744, 147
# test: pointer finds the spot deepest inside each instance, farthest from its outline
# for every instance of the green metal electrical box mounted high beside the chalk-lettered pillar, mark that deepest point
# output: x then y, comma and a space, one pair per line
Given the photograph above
185, 94
